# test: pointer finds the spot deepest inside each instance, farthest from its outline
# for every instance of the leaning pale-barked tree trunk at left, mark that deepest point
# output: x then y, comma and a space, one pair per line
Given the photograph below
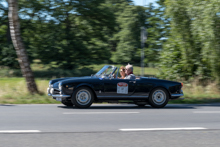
19, 47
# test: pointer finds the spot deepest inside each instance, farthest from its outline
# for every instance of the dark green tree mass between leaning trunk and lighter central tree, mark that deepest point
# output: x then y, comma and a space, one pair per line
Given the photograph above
74, 34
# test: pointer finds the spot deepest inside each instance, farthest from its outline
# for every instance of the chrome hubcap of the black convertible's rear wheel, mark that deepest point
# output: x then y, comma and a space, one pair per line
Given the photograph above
159, 97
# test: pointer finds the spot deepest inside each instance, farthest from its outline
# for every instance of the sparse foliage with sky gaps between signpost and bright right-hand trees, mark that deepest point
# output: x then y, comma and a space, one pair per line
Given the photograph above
157, 29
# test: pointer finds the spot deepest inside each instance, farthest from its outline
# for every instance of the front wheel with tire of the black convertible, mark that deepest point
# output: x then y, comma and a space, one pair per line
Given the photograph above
83, 97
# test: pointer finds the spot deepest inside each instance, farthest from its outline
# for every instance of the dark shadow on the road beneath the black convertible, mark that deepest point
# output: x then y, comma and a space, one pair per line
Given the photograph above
131, 107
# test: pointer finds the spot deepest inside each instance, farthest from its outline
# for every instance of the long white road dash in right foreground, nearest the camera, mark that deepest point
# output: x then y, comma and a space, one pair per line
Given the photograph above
162, 129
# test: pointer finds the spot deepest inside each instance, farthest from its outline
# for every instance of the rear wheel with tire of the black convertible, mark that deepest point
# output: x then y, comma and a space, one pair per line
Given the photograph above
159, 97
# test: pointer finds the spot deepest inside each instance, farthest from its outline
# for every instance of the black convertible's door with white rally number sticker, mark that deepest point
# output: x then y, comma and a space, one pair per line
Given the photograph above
119, 87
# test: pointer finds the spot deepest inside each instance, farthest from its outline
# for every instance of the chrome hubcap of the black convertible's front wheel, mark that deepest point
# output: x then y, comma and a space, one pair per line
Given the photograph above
83, 97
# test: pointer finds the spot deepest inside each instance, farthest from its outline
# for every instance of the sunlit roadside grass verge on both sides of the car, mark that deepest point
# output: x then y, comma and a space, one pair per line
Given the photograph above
14, 91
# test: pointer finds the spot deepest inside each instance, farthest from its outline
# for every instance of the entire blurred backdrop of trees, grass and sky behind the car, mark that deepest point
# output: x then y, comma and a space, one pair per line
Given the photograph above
77, 37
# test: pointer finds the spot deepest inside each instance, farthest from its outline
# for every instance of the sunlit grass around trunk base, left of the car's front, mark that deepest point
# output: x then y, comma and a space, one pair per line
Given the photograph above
14, 91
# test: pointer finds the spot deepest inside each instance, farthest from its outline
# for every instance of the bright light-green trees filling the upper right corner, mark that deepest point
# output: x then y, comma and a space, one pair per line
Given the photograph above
194, 43
